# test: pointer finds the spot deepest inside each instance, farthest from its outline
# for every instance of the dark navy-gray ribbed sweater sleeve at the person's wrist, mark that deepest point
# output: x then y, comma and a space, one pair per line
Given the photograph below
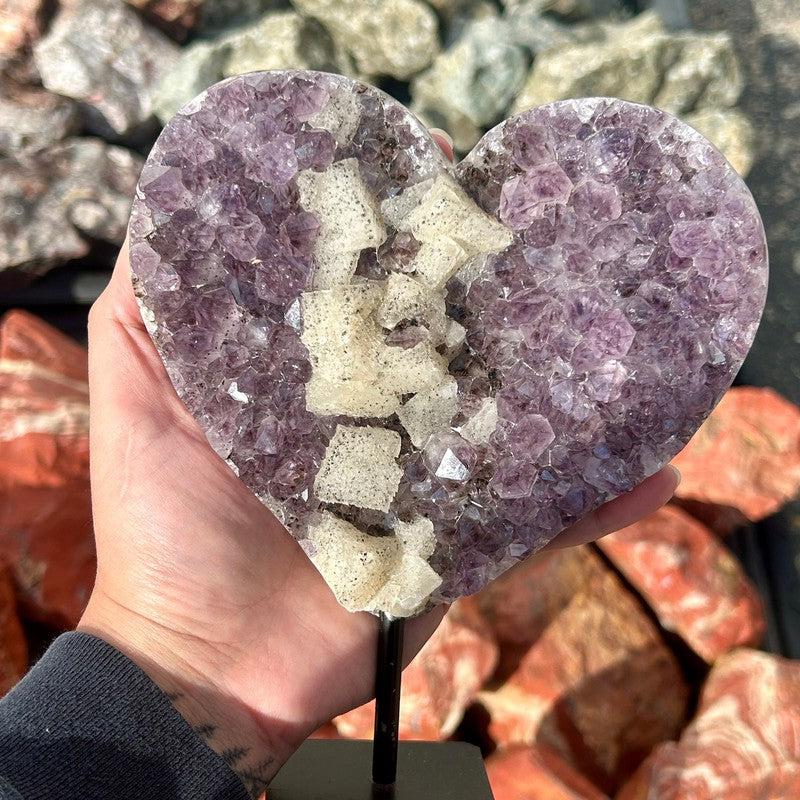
86, 723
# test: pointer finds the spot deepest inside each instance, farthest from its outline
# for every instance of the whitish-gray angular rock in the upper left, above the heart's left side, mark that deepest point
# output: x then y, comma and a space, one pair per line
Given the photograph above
101, 53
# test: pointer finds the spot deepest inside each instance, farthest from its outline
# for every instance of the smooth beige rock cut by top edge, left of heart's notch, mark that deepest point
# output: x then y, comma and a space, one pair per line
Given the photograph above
384, 37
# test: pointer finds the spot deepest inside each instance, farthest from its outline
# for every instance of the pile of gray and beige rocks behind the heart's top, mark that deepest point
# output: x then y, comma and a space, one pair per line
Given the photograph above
120, 69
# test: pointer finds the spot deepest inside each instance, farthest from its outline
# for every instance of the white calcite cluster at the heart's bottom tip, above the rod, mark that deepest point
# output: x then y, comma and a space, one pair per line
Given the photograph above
375, 573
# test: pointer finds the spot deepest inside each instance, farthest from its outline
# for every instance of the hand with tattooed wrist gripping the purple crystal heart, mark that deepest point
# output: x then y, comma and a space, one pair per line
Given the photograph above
200, 585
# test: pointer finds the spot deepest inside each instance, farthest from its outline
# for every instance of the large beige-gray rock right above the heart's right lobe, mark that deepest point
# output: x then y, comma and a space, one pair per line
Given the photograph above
639, 61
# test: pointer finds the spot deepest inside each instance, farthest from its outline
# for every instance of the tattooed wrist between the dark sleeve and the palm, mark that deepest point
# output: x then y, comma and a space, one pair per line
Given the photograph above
191, 673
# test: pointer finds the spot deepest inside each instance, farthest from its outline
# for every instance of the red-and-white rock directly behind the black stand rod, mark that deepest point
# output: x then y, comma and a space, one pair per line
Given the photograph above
439, 683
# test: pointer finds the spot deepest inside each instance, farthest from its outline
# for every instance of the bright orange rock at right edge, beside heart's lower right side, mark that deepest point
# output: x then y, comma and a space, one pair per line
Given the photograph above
746, 455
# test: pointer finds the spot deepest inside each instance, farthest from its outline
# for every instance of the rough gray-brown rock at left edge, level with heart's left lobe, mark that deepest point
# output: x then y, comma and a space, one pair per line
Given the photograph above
53, 201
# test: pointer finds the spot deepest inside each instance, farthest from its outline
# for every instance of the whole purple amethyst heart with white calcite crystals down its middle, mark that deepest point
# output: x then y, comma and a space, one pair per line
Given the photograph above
428, 372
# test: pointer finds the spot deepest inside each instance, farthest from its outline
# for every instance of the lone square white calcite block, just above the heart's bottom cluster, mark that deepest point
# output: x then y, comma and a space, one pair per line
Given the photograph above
360, 468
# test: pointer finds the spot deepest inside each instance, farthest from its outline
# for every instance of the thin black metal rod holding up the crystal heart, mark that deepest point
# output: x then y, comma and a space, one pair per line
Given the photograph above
389, 669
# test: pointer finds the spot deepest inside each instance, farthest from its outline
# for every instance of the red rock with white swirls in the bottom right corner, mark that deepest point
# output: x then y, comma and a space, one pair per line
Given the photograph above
744, 743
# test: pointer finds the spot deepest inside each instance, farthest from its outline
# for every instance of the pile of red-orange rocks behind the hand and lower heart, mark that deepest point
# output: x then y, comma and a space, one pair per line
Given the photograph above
573, 669
